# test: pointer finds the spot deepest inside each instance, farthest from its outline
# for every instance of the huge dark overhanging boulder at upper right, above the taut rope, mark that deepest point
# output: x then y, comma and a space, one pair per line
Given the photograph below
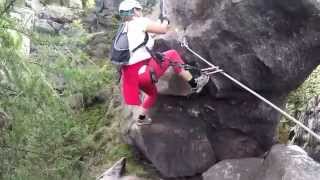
267, 44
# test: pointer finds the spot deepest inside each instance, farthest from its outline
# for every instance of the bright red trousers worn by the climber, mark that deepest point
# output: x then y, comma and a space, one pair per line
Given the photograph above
133, 82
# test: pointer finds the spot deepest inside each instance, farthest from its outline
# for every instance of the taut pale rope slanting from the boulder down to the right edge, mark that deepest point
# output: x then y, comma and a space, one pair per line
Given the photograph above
215, 69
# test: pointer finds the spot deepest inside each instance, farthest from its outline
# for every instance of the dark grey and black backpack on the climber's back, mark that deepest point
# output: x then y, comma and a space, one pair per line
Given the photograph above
120, 53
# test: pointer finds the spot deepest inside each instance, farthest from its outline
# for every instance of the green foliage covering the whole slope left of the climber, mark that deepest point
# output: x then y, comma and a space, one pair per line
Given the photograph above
45, 138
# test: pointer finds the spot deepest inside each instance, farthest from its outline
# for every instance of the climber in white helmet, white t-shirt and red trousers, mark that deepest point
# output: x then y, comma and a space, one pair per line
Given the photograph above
143, 68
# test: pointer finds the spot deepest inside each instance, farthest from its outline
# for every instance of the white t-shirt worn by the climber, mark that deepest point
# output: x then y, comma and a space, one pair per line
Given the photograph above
136, 34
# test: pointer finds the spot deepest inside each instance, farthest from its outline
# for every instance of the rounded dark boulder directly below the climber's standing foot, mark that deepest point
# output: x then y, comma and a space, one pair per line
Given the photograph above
176, 148
